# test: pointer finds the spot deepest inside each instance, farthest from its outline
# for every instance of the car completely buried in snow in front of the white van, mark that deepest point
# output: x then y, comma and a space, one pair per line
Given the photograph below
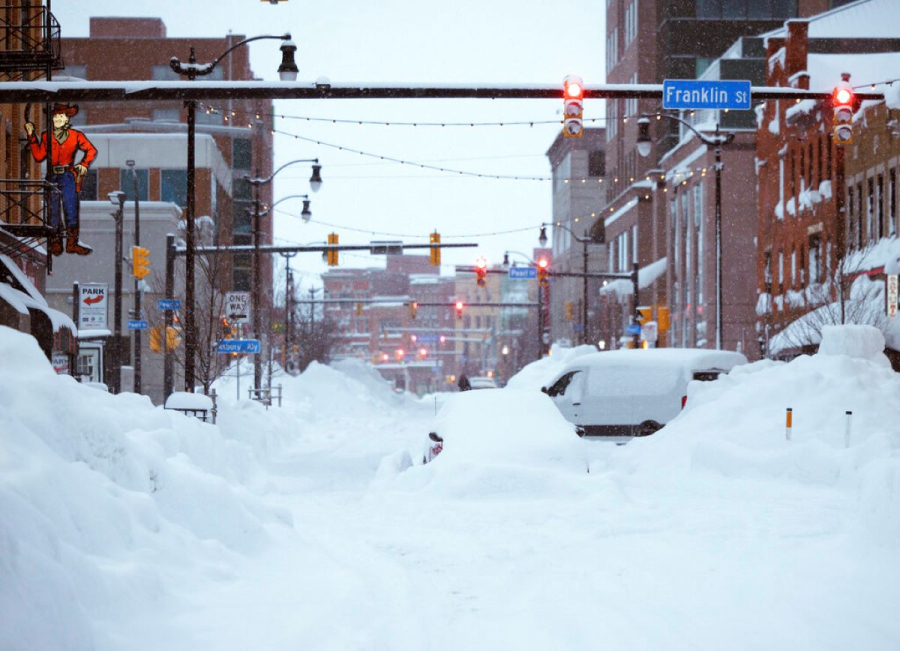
508, 427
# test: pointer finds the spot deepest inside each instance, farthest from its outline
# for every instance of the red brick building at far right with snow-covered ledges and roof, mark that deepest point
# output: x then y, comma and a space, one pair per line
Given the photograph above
821, 203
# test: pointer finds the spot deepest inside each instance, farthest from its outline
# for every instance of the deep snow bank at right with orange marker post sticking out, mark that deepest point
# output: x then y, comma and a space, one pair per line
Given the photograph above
736, 425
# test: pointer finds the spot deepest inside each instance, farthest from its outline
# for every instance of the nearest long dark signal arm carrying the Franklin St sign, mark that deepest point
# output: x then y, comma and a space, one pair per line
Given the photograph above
20, 92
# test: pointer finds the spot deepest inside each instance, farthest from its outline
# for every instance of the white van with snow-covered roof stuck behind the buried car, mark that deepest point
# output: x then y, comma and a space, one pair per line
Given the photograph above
633, 392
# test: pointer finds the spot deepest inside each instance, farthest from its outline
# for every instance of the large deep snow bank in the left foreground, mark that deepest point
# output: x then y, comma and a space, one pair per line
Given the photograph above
102, 496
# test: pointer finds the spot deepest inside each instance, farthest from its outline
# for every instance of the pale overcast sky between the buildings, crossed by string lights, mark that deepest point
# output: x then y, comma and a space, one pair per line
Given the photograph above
398, 41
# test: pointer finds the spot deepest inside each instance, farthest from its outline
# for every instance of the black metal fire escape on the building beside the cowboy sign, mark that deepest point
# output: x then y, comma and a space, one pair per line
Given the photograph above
29, 49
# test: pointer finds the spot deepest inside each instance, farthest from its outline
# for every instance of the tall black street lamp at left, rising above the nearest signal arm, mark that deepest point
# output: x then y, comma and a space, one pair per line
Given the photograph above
287, 72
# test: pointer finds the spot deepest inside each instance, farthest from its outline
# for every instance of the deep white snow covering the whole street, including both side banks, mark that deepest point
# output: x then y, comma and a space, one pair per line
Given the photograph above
302, 527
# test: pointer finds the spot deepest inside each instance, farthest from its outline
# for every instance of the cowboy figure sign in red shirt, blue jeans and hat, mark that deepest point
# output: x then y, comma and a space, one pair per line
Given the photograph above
65, 173
